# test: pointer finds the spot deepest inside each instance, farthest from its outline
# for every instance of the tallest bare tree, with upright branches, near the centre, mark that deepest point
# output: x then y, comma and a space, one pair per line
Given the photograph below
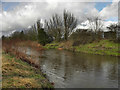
70, 23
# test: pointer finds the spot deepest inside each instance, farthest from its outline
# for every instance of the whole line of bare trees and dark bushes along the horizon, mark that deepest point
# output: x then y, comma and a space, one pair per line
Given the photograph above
62, 28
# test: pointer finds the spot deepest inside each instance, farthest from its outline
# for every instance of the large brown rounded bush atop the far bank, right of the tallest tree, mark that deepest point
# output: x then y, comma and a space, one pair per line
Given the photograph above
83, 37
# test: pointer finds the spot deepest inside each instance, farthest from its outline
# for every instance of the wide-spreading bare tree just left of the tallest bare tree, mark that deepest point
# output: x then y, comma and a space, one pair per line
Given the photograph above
54, 27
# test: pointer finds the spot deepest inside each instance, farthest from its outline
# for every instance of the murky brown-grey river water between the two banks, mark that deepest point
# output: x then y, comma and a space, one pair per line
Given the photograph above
77, 70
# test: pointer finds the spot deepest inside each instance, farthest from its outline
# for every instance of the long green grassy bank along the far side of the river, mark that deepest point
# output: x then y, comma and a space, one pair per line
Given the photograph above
103, 47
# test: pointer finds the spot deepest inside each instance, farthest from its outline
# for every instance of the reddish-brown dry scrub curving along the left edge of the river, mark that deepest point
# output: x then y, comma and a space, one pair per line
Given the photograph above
8, 48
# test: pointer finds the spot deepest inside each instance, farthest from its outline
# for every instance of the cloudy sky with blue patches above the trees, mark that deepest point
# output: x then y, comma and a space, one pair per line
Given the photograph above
21, 15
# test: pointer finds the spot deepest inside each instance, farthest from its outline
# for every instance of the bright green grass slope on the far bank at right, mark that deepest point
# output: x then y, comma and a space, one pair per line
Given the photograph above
104, 47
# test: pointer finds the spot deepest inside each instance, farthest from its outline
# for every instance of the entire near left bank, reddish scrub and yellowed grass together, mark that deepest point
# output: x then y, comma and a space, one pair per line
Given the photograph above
19, 74
